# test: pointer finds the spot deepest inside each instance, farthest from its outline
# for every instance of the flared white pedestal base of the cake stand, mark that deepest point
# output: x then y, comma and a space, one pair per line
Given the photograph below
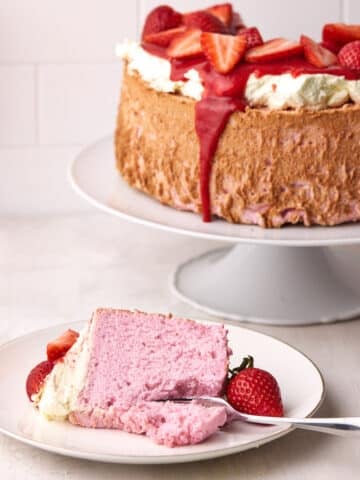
268, 285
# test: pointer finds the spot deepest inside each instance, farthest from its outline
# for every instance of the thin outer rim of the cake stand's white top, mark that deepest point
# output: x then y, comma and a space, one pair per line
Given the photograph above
75, 184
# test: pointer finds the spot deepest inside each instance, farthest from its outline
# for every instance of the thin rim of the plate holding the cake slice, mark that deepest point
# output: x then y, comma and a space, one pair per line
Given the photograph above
161, 459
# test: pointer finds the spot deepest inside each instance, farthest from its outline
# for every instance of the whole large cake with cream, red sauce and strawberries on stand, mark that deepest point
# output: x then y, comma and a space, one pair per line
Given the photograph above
215, 120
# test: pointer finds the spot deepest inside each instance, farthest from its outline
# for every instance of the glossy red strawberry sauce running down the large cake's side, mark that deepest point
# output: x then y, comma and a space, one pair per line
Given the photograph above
225, 94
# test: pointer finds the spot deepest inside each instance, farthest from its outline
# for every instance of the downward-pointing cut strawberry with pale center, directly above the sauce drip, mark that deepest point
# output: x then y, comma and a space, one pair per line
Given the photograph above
223, 51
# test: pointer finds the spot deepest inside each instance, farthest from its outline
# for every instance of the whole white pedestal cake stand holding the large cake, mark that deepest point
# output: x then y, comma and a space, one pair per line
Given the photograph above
289, 276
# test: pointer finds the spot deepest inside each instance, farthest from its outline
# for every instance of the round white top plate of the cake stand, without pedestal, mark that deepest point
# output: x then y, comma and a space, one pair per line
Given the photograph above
94, 177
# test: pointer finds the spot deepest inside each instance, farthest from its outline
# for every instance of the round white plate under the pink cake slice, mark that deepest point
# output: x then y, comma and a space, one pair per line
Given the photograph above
300, 381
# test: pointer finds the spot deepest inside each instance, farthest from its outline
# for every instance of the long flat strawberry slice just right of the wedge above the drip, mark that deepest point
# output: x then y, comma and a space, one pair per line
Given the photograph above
274, 50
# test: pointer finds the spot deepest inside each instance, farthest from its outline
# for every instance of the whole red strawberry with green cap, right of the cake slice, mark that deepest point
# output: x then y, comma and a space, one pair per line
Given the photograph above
254, 391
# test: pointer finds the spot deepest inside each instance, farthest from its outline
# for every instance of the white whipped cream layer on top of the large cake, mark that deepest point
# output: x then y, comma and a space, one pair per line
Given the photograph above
278, 92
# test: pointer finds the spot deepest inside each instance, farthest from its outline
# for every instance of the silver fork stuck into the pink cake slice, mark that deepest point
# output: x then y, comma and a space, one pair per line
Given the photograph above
347, 426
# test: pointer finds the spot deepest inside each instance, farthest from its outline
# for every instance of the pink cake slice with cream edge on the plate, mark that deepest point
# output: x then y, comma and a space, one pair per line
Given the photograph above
124, 362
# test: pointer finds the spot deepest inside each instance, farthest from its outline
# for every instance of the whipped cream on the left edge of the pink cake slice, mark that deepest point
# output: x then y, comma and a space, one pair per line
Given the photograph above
66, 380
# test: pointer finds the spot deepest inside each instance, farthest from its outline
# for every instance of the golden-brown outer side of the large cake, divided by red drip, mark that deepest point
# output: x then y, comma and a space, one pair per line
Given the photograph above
270, 167
